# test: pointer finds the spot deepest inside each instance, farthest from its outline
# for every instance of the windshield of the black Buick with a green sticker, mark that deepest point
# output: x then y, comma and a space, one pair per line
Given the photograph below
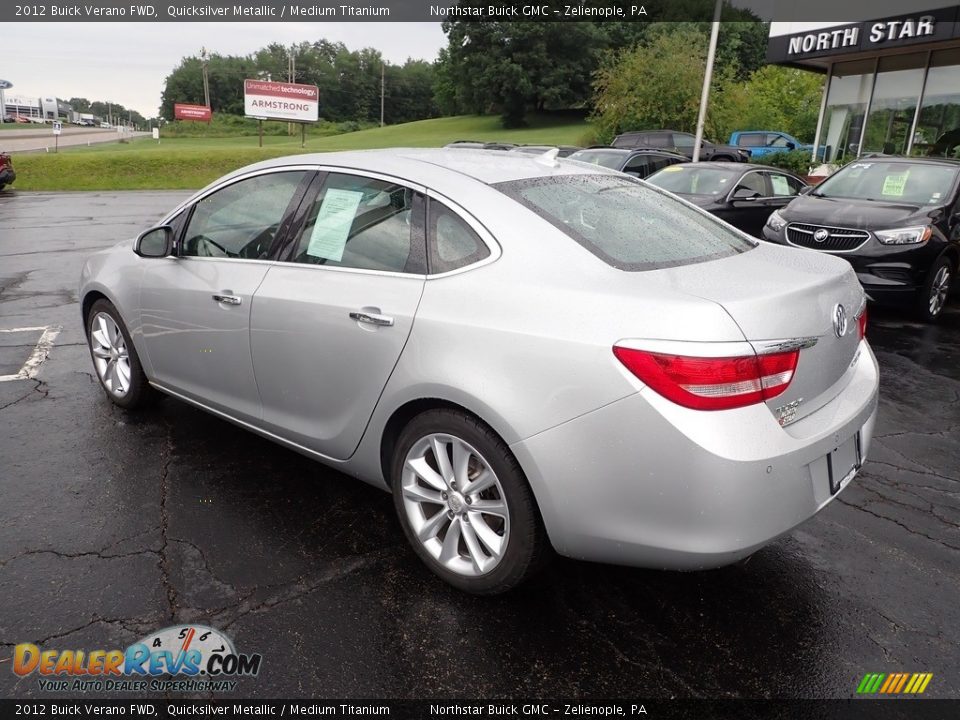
899, 182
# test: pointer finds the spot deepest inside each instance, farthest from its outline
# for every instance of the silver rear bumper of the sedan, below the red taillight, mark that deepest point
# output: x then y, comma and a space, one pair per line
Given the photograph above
645, 482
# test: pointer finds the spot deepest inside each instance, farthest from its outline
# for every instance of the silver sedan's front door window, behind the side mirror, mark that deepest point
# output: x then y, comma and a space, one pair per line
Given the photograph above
242, 219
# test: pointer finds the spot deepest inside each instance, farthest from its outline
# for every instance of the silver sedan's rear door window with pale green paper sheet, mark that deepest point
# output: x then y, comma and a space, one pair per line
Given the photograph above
364, 223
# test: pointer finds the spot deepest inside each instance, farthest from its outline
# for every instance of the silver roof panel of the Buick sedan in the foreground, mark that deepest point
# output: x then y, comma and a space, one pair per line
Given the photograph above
432, 166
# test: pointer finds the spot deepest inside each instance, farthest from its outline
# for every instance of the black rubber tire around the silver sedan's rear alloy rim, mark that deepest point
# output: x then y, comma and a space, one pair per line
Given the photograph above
527, 547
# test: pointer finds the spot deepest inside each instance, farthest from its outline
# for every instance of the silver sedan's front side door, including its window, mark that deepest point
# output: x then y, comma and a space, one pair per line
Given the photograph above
195, 306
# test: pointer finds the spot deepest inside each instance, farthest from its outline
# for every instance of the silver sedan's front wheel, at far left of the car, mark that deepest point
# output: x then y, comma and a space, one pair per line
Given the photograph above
115, 358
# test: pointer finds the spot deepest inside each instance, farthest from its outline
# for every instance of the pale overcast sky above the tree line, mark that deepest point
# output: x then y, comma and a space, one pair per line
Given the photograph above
128, 62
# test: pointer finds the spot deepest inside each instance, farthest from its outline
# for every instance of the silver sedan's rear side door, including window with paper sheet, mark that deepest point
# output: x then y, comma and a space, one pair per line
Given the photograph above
331, 318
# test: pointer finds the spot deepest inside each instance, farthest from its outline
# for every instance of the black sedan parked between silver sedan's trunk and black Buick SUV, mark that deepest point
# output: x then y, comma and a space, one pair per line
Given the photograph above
743, 195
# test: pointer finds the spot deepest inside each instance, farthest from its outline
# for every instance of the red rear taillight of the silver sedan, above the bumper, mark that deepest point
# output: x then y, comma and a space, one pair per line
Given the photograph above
706, 383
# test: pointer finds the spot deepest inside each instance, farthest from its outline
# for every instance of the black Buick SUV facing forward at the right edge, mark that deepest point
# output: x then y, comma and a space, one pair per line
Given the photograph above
896, 220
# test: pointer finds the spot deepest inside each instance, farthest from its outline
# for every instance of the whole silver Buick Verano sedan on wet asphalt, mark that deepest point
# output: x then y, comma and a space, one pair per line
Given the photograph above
529, 353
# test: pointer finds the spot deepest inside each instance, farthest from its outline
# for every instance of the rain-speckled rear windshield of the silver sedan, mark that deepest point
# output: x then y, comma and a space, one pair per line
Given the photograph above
626, 223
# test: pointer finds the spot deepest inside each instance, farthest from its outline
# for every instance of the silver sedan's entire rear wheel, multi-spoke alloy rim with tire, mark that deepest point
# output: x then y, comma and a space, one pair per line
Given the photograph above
464, 504
